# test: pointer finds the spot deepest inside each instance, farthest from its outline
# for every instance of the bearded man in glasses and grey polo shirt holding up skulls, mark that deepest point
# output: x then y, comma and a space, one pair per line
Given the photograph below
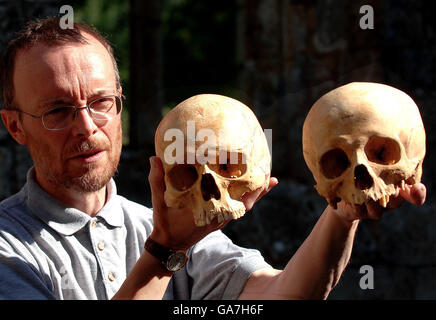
68, 235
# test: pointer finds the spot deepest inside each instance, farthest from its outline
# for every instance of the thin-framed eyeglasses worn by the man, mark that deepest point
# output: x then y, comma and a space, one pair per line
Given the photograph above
101, 110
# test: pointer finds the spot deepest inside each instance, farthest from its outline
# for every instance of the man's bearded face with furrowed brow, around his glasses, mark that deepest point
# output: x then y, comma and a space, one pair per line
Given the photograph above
84, 156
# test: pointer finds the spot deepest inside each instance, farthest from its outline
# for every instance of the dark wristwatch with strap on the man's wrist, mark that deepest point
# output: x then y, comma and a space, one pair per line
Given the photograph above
172, 260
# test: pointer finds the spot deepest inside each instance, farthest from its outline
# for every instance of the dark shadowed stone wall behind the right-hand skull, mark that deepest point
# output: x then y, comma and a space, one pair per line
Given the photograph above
294, 52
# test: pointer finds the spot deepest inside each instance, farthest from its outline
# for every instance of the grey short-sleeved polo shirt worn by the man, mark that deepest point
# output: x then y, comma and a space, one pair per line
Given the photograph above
49, 251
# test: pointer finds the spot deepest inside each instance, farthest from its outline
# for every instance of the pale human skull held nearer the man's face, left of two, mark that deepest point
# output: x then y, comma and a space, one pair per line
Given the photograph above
213, 150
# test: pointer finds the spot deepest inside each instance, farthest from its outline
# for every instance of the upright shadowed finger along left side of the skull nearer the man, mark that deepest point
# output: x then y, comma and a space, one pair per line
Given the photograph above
157, 183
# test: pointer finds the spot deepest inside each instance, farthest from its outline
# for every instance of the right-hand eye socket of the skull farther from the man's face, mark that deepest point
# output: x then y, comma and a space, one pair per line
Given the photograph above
383, 150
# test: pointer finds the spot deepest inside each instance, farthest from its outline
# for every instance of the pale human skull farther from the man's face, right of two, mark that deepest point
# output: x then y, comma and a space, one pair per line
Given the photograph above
362, 141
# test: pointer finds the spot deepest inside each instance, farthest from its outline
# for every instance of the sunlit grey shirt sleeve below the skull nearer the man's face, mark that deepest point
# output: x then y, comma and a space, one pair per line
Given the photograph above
217, 269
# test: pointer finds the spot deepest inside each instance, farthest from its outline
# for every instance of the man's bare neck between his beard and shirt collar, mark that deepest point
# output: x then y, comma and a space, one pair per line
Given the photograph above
87, 202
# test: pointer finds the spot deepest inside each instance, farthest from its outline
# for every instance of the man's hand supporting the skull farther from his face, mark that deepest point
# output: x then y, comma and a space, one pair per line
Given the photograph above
414, 194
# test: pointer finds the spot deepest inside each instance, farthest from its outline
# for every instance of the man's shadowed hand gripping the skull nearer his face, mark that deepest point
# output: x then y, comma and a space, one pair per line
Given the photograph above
175, 228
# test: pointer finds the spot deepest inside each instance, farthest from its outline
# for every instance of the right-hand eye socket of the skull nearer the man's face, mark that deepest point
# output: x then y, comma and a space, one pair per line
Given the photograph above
232, 166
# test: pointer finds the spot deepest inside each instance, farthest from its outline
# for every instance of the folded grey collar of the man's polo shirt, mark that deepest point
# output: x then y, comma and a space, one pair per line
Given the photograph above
67, 220
